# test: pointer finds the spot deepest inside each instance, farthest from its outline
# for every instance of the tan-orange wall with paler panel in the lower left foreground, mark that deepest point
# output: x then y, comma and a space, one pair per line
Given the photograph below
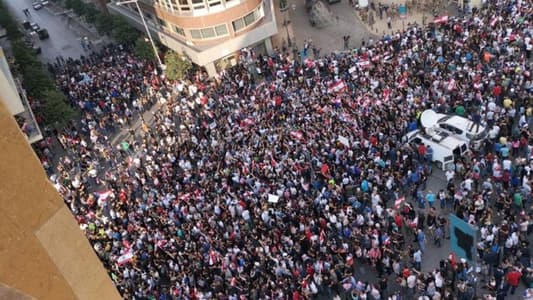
43, 253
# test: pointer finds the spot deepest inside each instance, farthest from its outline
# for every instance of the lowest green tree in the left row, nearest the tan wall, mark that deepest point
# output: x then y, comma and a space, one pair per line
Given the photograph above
56, 111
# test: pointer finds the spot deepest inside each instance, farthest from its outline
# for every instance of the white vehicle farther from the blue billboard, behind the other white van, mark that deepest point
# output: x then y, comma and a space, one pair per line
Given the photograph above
463, 128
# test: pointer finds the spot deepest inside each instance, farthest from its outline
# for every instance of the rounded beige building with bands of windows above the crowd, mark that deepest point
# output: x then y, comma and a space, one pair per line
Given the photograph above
208, 32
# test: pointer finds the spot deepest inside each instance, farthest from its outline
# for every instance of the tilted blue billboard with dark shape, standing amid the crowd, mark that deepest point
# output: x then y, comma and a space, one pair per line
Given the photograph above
463, 239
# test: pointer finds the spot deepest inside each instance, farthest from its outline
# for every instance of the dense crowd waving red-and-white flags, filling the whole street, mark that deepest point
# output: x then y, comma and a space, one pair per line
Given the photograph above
282, 182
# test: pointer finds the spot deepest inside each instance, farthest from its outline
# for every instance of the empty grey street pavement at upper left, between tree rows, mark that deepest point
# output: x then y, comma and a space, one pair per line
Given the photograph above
65, 34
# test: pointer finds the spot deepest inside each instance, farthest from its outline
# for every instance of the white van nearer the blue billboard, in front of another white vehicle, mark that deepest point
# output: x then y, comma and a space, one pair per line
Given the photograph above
446, 147
